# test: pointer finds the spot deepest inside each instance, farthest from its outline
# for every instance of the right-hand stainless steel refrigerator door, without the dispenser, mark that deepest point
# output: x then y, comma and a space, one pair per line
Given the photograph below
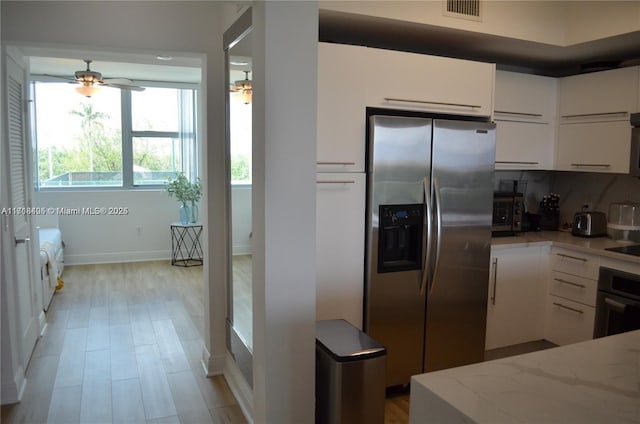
462, 174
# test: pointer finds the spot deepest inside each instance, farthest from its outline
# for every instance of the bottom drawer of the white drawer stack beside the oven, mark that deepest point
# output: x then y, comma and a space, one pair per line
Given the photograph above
568, 322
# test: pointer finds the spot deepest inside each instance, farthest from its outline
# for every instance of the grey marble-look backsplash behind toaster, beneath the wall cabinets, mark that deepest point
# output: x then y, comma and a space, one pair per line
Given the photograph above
575, 189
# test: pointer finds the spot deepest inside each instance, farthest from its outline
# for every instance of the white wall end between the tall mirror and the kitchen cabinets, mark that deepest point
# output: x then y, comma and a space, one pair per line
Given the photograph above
285, 41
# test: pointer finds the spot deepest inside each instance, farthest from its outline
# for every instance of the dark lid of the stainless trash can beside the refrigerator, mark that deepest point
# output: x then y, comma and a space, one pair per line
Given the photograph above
344, 342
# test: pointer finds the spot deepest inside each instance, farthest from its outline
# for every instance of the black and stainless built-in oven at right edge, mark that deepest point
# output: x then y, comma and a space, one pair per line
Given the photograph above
618, 304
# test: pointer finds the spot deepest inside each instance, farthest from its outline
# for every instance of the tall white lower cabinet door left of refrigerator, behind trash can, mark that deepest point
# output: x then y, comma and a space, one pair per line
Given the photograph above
340, 246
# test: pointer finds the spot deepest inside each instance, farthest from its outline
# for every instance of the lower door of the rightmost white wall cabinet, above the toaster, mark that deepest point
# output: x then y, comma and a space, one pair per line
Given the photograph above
594, 147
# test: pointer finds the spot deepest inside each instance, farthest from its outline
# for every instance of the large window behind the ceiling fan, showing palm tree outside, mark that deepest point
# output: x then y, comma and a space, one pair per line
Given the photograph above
117, 138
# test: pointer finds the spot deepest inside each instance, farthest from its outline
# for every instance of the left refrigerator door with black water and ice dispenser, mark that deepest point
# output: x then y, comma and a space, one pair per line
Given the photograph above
399, 160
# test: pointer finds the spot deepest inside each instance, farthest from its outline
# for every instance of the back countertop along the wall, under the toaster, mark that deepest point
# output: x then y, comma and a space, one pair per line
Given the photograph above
596, 245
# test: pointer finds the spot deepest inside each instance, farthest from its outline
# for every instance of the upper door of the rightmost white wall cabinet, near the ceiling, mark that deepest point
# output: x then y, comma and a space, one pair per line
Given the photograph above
605, 93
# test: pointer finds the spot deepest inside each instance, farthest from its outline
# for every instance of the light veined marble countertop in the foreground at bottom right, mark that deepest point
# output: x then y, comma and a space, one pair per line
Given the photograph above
596, 381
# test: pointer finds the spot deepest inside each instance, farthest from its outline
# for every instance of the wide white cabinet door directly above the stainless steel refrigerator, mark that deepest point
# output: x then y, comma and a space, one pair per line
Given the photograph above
401, 80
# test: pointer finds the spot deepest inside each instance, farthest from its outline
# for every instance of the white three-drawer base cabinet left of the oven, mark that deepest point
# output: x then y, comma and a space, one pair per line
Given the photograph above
571, 298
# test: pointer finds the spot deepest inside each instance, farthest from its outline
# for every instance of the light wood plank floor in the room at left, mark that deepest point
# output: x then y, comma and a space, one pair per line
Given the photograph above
123, 344
